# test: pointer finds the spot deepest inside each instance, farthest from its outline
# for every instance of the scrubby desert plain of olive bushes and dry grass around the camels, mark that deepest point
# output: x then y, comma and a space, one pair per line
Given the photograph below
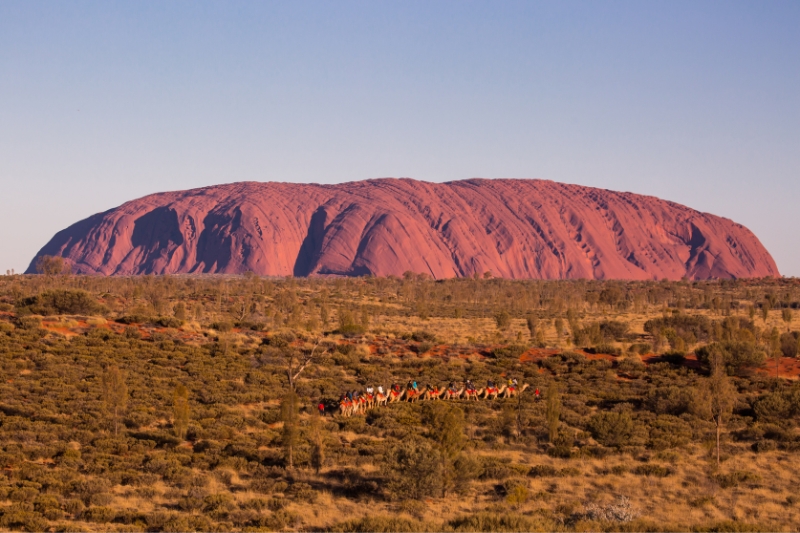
164, 404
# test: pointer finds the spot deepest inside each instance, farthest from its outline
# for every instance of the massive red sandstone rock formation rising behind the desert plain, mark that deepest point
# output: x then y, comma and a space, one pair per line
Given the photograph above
512, 228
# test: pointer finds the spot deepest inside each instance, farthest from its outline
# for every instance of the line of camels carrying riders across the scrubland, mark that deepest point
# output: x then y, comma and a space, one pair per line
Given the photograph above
359, 403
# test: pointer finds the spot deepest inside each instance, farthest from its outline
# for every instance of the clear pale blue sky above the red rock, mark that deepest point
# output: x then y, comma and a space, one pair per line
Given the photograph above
103, 102
